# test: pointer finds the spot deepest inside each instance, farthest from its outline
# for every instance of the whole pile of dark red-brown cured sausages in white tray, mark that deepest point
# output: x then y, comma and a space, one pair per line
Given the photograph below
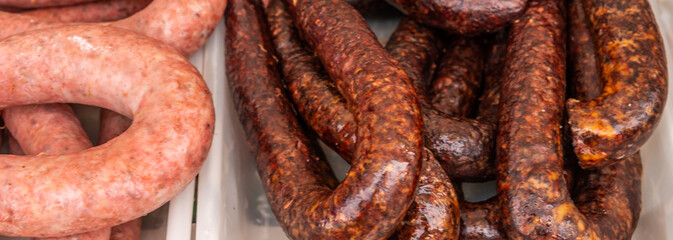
552, 99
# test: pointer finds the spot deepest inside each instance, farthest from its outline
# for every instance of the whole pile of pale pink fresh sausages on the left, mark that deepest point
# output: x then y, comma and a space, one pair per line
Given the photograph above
127, 57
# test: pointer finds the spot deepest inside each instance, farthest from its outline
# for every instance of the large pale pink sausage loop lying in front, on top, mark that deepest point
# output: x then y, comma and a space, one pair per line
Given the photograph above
172, 120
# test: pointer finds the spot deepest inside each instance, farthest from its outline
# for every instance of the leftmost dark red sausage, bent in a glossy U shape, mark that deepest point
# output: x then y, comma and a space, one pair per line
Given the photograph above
373, 198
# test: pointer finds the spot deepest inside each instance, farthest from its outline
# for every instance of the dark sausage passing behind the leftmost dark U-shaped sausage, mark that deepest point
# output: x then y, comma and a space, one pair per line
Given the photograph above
430, 216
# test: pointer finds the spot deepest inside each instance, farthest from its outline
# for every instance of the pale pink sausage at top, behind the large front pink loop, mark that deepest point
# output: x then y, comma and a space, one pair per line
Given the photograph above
183, 24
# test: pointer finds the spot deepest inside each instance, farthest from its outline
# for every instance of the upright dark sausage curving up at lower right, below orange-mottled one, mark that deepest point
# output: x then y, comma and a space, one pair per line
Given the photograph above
533, 191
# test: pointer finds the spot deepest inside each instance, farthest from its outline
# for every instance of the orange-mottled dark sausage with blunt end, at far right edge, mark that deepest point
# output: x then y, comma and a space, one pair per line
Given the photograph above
634, 76
